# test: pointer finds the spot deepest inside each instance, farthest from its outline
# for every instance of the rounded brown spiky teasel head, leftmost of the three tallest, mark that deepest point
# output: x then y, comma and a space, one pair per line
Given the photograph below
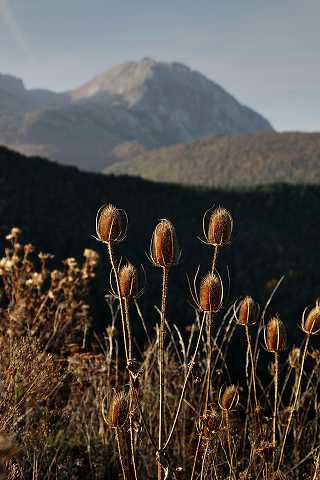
110, 224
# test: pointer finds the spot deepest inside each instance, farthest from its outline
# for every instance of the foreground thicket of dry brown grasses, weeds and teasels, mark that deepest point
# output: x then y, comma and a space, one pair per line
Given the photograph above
73, 406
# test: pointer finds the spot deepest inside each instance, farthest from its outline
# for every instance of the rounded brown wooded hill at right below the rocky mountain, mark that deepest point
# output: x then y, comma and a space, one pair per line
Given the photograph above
231, 161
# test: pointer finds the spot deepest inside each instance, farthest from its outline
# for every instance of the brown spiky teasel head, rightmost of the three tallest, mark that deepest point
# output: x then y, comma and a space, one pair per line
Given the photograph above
220, 227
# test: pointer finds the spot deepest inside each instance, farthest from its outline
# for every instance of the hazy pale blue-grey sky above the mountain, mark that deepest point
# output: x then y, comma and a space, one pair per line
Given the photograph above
265, 52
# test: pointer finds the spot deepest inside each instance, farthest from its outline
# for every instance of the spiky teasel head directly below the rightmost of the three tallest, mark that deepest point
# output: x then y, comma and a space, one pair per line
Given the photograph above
211, 293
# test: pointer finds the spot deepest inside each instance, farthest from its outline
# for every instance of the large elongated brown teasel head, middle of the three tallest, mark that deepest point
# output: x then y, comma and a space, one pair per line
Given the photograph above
164, 245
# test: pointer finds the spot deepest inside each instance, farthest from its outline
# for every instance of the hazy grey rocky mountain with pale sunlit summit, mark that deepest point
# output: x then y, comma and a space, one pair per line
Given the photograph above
153, 103
